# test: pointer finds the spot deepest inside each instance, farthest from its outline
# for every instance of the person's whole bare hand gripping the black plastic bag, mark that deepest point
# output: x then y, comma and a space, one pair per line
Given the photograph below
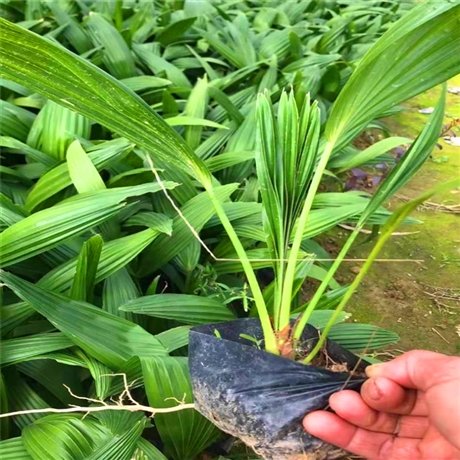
409, 409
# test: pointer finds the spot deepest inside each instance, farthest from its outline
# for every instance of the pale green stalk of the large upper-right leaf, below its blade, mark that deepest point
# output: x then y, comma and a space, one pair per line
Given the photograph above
286, 299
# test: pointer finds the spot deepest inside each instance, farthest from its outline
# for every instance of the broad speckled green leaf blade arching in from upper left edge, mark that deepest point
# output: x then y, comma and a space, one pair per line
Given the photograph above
84, 88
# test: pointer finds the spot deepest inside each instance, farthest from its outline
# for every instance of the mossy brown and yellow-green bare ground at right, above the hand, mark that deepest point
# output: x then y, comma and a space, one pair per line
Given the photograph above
419, 301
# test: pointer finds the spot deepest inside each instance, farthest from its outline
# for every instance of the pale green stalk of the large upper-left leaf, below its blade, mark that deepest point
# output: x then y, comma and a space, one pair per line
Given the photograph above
269, 334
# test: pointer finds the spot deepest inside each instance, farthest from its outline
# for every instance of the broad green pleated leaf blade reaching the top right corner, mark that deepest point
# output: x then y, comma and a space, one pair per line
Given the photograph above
404, 62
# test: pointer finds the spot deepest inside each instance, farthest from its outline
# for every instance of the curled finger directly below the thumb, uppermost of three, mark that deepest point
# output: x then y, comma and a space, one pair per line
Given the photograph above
383, 394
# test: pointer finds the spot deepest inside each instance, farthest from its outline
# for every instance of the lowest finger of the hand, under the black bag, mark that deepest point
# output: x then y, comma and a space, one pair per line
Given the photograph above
333, 429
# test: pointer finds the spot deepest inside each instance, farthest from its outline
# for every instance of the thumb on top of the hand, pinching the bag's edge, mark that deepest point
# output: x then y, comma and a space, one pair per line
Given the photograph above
418, 369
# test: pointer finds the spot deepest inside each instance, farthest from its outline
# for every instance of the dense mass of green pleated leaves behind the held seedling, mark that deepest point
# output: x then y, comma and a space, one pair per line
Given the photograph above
104, 276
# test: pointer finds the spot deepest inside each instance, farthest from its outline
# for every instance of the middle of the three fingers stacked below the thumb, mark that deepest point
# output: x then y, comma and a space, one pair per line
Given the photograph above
351, 407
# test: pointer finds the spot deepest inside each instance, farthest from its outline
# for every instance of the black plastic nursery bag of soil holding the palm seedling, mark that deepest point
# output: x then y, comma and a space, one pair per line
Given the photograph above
262, 398
